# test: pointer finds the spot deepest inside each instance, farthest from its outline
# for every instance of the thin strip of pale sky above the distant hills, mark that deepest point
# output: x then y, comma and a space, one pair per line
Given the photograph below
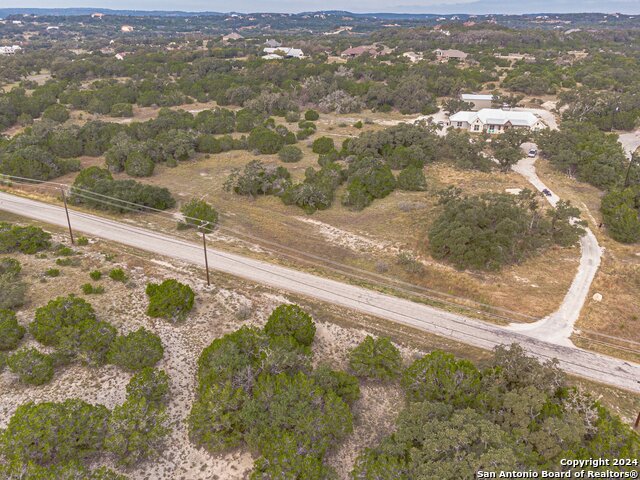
399, 6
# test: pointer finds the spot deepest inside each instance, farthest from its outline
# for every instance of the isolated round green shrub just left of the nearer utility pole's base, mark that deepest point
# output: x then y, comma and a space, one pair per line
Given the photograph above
170, 299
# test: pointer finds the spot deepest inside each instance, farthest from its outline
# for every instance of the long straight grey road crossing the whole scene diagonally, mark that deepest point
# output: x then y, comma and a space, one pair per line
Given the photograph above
456, 327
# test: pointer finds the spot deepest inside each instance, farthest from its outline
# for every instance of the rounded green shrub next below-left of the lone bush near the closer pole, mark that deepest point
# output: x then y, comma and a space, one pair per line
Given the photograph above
136, 350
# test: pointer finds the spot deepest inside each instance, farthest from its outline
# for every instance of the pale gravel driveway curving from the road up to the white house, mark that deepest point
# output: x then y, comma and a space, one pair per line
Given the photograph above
558, 327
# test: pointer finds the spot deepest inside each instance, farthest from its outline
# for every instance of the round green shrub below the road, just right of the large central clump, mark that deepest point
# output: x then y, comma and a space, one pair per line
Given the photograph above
376, 359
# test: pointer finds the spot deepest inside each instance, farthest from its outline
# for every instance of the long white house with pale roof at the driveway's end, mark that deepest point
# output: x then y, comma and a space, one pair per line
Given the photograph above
491, 120
